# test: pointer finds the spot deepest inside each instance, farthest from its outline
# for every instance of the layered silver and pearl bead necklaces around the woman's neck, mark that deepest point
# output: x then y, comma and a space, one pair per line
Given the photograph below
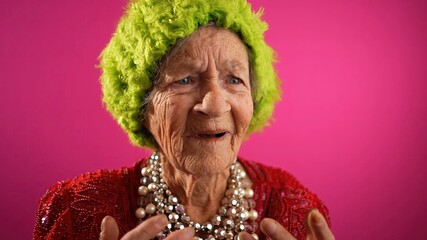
236, 214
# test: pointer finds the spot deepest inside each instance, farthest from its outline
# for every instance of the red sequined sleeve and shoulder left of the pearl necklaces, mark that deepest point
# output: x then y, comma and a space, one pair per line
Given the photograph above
74, 209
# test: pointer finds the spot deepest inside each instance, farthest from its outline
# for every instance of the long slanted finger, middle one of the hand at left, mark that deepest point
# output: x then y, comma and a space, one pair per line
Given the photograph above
147, 229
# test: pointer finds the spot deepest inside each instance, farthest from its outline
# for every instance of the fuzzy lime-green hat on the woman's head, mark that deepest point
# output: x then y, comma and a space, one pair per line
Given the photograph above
150, 28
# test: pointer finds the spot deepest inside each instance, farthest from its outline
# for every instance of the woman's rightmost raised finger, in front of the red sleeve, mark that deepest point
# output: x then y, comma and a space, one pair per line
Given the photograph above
319, 228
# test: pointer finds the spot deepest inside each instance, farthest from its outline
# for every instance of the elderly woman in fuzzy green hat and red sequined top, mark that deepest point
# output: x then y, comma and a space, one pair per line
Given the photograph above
191, 80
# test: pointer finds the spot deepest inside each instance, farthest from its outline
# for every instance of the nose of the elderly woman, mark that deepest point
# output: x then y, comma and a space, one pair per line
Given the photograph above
213, 102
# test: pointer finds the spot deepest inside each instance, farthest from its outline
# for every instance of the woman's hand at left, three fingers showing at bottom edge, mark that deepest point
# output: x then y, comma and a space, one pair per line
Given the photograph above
144, 231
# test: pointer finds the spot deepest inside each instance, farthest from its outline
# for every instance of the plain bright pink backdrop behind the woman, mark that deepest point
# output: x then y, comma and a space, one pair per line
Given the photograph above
352, 125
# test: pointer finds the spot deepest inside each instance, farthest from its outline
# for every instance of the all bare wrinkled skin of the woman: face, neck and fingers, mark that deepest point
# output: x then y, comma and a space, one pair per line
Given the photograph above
199, 113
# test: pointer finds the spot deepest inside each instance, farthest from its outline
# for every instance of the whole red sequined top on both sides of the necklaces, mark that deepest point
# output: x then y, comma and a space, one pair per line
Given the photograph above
74, 209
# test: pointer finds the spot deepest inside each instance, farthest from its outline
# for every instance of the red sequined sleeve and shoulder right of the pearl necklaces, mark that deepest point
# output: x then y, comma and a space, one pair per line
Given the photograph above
280, 196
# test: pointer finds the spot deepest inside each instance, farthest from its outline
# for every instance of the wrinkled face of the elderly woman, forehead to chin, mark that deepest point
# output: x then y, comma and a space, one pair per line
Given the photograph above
202, 106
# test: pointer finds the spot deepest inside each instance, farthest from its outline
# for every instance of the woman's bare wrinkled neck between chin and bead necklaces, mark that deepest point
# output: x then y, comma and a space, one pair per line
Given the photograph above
201, 195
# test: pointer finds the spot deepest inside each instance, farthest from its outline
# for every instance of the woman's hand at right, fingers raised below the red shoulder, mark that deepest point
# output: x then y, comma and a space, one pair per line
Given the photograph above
315, 225
